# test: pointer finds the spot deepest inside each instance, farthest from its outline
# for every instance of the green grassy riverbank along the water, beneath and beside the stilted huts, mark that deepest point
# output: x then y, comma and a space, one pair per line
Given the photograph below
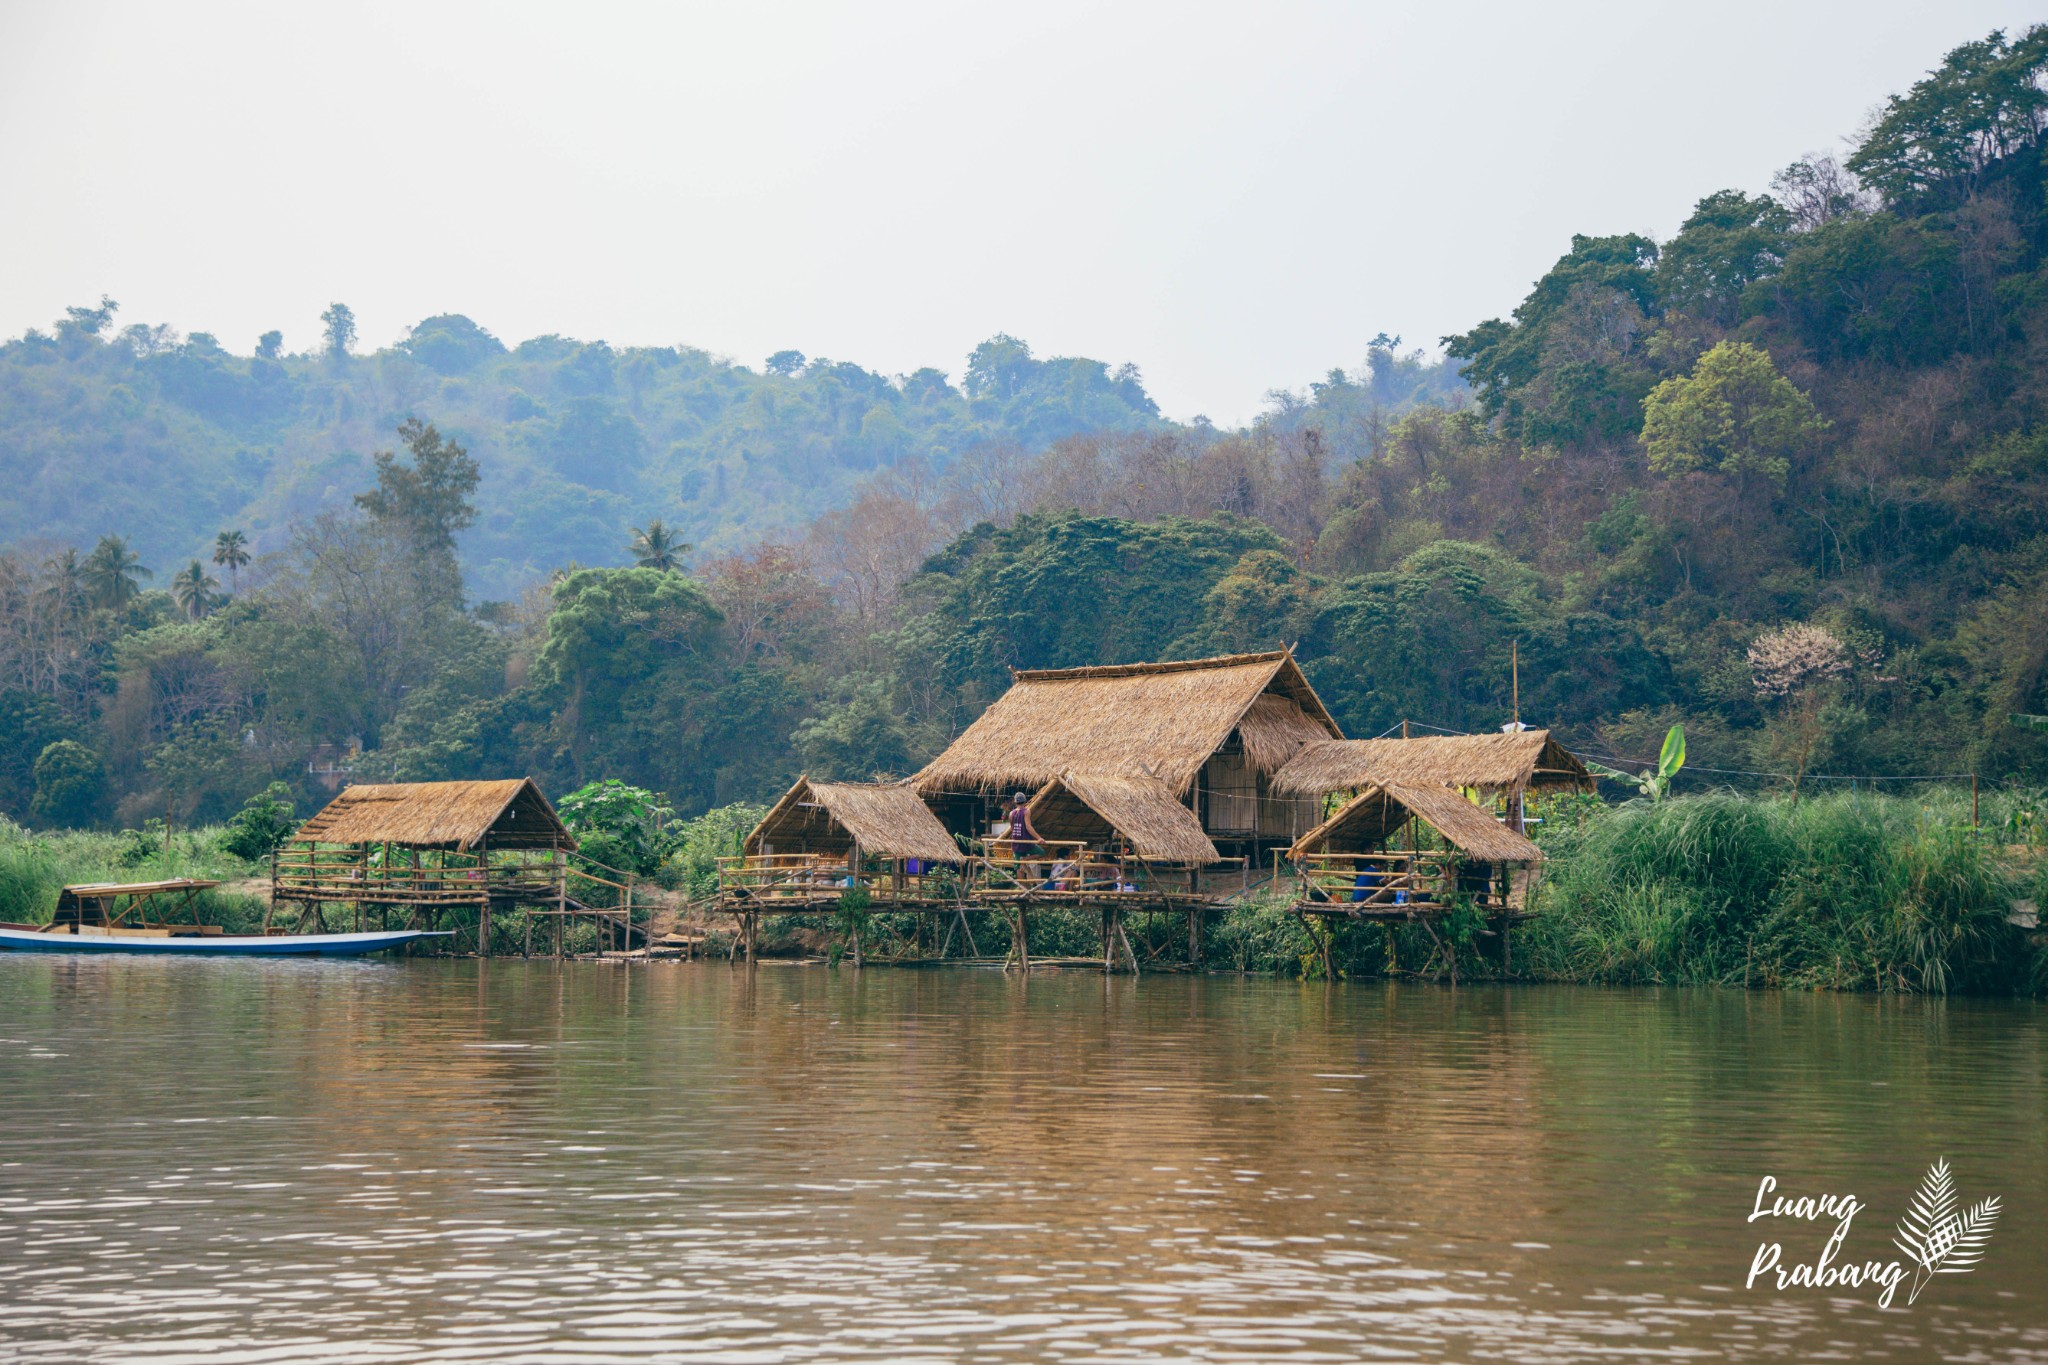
1834, 893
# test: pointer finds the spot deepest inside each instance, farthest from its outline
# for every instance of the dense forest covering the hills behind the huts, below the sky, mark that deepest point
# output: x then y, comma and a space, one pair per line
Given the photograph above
1783, 478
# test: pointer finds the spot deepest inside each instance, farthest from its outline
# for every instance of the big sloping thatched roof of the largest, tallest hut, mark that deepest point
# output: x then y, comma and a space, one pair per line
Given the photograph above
1136, 721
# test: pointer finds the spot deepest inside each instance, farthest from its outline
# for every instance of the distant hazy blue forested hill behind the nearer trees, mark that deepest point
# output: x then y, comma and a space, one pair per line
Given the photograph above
169, 439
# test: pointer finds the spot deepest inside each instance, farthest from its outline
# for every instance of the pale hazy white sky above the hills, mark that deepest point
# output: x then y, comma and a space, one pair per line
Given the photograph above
1234, 197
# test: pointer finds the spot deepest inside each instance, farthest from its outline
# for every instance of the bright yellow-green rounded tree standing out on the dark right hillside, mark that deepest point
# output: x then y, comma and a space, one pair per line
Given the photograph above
1734, 414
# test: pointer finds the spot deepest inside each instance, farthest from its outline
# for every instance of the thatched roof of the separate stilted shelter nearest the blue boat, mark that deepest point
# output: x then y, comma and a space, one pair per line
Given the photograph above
441, 816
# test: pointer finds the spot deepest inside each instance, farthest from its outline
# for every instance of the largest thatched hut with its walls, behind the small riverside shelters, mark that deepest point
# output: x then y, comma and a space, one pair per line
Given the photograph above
1211, 732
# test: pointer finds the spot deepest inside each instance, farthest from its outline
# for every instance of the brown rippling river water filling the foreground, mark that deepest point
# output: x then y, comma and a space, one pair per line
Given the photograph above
458, 1161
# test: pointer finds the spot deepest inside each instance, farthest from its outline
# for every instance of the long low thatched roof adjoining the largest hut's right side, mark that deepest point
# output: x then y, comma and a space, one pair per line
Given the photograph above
1521, 760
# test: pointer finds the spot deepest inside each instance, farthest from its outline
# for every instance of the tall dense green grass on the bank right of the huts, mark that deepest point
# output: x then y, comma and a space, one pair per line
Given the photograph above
1844, 891
